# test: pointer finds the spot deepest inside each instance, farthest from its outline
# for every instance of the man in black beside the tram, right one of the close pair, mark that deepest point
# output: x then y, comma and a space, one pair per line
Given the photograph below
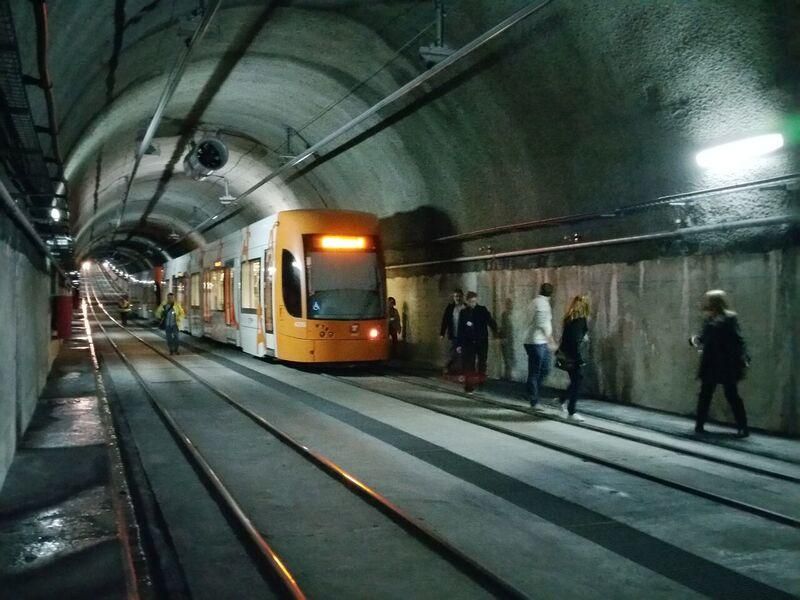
472, 343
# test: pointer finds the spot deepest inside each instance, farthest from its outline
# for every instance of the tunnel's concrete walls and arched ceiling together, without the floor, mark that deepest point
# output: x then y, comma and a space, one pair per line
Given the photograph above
501, 144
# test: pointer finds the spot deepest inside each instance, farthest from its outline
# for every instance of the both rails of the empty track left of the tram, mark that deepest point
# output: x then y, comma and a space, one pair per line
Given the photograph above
276, 567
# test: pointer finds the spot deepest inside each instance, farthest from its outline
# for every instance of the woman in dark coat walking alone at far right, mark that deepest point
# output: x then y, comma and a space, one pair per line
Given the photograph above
724, 360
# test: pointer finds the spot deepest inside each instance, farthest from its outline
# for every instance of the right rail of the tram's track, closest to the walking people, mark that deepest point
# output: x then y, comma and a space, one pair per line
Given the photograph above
619, 434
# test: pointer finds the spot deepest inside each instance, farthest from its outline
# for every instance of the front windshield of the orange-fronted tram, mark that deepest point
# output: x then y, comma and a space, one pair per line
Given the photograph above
344, 285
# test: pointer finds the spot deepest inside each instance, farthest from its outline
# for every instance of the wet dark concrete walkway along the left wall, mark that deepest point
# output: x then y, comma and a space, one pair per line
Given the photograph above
58, 530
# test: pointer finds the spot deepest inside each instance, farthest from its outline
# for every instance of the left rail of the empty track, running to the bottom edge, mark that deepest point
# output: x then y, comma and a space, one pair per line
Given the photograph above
285, 579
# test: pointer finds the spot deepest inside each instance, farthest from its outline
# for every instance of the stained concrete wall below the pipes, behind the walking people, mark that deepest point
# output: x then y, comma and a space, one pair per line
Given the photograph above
642, 315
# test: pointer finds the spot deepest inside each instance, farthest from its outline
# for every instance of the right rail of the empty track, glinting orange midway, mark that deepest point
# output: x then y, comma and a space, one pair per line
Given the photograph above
483, 576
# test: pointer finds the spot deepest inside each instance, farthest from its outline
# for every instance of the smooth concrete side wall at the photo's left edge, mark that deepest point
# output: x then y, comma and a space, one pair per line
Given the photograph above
25, 357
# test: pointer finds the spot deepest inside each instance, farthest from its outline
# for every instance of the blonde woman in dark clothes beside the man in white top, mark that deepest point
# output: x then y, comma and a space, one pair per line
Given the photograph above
568, 357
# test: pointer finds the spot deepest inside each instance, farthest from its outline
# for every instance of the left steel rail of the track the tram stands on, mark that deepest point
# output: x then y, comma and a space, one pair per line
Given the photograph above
718, 498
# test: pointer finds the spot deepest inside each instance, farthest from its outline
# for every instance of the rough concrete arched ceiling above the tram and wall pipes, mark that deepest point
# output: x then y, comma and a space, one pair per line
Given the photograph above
585, 106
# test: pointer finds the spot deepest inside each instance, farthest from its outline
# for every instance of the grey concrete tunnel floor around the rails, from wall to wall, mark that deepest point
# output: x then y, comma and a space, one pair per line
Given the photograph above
625, 504
